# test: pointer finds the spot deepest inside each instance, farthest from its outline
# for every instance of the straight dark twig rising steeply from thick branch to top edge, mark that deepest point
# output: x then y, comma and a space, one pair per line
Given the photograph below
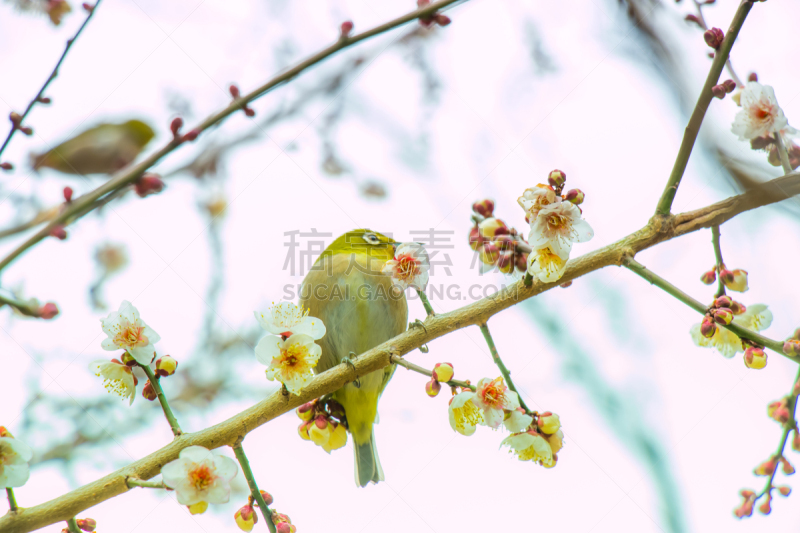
703, 101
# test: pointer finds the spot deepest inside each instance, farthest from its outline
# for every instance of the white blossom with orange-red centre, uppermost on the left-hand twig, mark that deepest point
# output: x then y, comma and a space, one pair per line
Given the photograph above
127, 331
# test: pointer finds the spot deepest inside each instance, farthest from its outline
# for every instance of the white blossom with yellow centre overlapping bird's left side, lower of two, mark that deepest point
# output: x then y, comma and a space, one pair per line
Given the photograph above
289, 361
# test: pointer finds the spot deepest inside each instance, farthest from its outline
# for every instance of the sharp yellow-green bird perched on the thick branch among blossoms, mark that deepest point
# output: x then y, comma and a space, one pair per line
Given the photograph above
360, 310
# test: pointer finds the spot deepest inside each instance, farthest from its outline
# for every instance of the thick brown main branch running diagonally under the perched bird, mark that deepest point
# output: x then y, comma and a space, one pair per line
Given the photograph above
658, 230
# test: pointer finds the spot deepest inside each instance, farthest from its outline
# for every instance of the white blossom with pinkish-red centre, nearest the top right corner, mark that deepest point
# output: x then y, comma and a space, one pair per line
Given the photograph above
760, 114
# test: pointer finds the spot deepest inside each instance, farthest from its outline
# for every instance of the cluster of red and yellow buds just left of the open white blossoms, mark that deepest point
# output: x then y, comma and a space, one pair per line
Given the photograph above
496, 243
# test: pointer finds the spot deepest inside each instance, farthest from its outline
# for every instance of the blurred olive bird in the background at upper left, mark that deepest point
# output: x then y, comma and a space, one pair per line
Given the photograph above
103, 149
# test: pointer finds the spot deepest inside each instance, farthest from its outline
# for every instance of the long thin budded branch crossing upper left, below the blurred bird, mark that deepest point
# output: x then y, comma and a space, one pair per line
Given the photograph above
82, 205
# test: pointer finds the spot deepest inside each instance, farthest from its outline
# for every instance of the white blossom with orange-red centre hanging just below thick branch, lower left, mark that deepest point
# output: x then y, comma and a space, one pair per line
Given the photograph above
197, 476
